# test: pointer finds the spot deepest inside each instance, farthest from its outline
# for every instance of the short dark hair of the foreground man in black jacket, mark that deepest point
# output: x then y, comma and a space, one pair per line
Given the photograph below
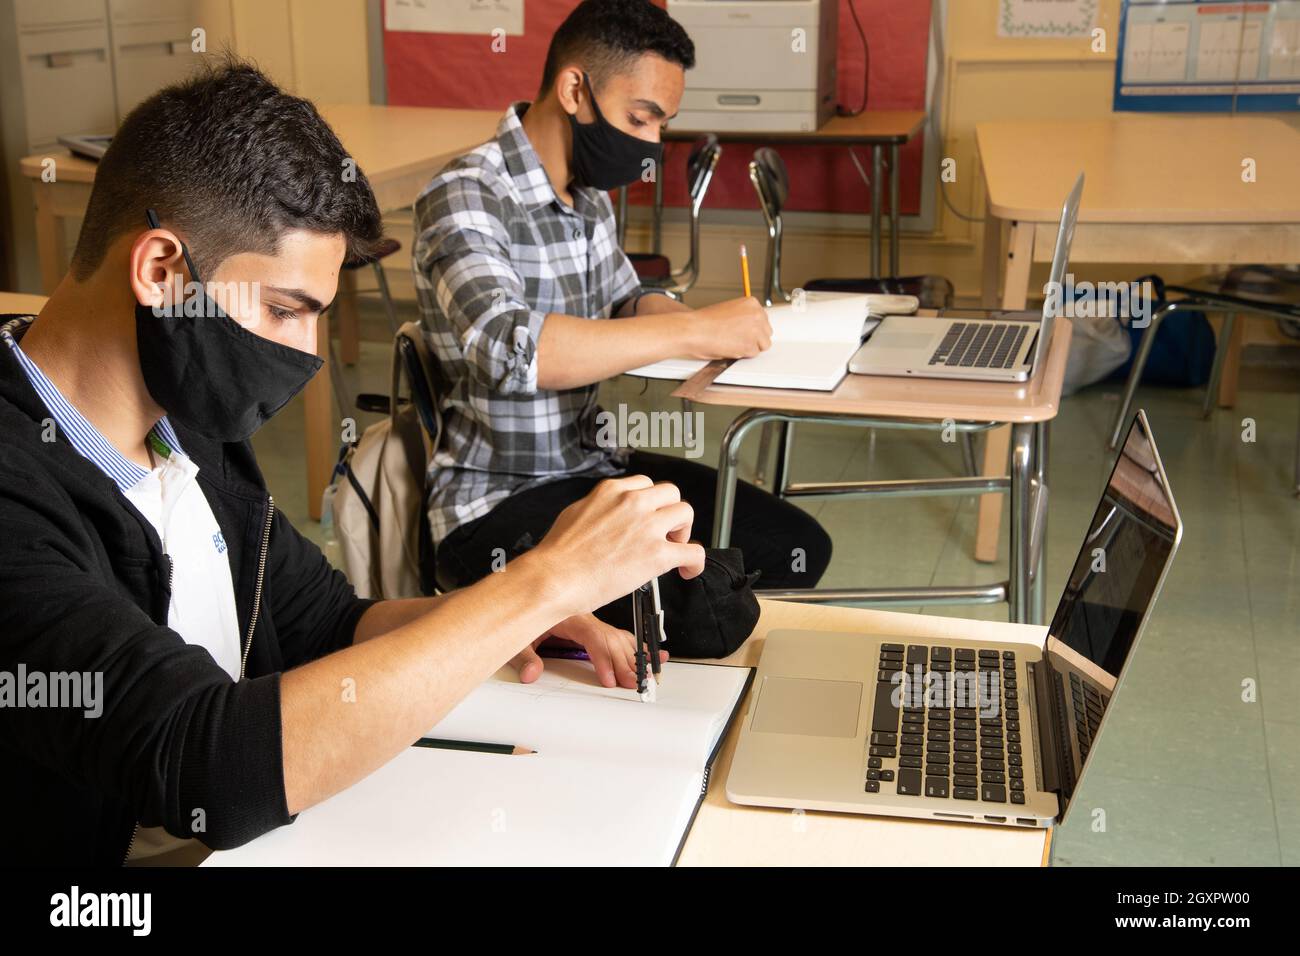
232, 163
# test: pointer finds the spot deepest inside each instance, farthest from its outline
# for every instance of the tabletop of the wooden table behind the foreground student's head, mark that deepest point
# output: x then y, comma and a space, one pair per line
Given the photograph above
387, 142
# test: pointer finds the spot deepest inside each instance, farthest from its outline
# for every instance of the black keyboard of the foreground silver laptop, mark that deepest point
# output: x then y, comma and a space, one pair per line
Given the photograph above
968, 746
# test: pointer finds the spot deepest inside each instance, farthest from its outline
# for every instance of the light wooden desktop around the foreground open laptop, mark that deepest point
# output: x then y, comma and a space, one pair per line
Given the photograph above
731, 836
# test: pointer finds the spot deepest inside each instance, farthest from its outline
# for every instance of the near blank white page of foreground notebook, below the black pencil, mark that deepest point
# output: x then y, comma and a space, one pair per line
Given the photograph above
452, 808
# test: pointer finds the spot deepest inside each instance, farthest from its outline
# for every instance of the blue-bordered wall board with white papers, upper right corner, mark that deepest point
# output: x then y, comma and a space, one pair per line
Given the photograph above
1201, 57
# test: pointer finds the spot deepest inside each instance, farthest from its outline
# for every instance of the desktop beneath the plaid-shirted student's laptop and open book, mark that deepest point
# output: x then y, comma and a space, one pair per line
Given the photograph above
905, 399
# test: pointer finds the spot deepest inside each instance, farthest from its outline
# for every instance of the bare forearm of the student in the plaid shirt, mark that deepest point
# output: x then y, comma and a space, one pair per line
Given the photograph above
582, 352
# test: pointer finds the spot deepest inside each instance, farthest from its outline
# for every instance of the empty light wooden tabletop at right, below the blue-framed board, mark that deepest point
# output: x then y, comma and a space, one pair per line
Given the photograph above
1143, 168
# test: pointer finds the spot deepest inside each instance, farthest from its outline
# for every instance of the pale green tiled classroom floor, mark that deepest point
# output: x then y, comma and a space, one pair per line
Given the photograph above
1194, 769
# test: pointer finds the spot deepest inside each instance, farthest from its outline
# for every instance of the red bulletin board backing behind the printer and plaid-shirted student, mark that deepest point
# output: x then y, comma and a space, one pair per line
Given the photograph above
463, 72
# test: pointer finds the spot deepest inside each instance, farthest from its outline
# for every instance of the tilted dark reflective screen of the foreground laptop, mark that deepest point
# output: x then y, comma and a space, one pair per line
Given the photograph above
1113, 589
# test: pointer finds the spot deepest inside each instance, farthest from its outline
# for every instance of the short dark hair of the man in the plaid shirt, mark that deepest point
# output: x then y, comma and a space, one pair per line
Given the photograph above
608, 36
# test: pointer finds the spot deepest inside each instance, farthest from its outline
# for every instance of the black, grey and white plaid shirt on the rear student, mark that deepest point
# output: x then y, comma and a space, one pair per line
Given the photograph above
496, 252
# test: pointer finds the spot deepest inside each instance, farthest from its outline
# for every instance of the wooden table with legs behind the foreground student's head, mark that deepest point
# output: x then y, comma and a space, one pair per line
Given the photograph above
400, 149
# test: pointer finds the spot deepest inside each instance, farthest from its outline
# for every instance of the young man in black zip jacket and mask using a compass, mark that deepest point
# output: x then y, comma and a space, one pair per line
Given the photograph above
176, 660
